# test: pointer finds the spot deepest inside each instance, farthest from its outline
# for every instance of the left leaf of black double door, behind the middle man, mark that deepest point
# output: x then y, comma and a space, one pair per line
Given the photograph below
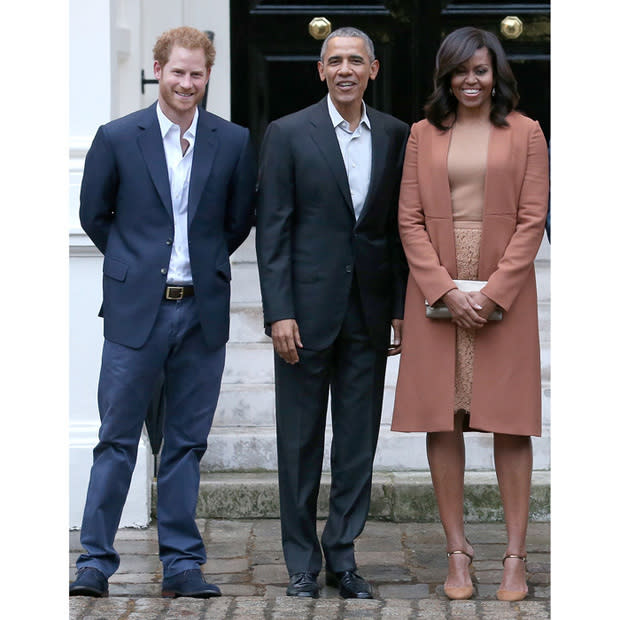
274, 57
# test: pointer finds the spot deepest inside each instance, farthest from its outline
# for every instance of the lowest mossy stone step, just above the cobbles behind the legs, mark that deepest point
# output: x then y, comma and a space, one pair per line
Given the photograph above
396, 496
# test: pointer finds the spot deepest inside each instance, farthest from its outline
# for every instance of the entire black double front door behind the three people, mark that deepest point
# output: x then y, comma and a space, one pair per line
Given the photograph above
274, 56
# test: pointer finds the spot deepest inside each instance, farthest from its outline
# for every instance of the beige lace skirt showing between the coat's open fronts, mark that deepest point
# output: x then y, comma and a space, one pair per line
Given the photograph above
467, 238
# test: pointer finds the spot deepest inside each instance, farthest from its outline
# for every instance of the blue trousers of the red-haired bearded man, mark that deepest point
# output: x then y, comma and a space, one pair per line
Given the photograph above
127, 381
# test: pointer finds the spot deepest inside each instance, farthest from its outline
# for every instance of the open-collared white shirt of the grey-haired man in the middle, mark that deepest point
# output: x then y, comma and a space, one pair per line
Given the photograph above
356, 149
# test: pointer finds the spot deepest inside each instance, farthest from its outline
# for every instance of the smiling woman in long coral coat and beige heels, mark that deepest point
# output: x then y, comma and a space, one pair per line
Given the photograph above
472, 207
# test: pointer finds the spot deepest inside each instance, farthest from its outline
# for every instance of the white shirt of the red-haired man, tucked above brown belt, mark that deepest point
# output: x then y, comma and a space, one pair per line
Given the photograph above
179, 174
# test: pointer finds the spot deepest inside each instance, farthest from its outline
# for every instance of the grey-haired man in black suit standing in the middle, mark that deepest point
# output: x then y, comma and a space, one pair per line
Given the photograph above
332, 280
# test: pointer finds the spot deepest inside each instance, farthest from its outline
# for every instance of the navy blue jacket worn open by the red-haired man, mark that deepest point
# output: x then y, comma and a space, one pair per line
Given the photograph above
126, 210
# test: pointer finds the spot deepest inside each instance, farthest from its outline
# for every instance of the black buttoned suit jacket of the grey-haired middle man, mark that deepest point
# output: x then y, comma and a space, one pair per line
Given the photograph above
309, 244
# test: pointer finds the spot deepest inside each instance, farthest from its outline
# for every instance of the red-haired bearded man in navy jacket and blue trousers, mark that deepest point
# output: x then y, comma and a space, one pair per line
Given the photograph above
167, 196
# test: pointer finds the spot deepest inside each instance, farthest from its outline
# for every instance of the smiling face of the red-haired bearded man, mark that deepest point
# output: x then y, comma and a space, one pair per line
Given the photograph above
182, 83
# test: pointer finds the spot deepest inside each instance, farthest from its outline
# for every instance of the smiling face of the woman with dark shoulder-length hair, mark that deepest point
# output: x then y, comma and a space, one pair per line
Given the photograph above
472, 83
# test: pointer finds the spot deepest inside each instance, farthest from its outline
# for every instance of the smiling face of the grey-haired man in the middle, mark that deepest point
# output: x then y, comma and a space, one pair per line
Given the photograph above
346, 67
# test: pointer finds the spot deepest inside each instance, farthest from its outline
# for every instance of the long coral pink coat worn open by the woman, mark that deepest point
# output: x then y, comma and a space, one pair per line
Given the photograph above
506, 376
